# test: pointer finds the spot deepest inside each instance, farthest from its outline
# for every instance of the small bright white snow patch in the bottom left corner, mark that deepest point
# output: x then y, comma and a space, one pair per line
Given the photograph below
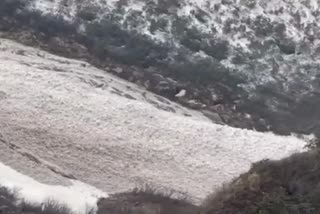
79, 197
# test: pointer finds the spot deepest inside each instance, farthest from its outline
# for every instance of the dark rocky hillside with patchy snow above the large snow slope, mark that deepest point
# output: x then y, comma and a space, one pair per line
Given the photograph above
254, 62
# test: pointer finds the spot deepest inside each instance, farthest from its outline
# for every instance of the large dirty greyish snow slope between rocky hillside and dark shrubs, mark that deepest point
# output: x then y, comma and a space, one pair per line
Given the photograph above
81, 122
